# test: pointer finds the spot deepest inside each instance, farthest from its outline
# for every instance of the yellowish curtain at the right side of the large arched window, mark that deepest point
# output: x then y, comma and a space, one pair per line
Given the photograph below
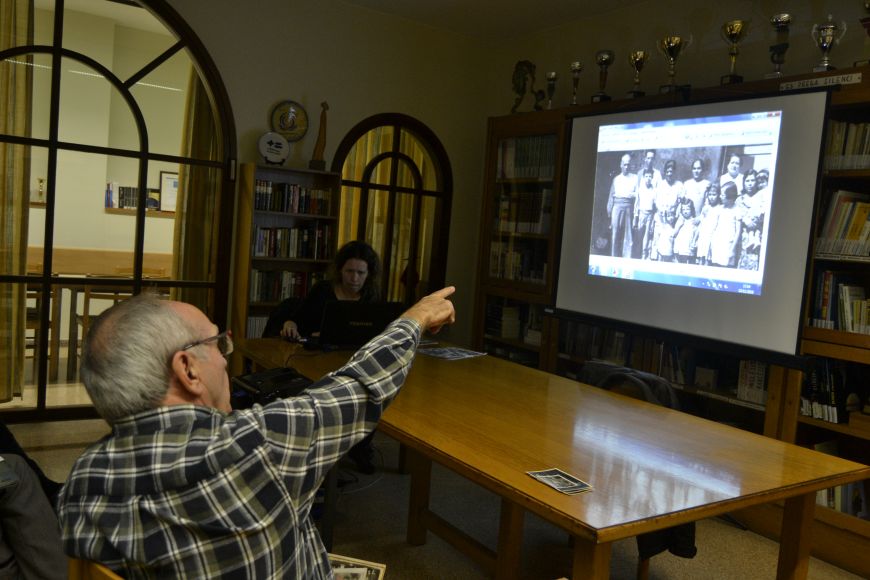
197, 206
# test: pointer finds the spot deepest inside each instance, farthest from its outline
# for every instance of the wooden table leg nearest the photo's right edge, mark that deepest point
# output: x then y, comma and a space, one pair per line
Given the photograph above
794, 540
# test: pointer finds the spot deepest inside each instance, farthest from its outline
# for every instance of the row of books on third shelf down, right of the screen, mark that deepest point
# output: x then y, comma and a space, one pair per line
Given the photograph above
840, 303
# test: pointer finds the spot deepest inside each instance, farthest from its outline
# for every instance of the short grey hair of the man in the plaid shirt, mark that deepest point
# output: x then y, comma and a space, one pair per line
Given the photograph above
127, 352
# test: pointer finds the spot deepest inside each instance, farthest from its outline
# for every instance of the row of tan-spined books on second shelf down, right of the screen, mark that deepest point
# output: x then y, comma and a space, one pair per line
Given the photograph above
846, 227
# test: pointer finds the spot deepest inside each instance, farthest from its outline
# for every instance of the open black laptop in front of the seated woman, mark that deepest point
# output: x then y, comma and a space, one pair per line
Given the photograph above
350, 324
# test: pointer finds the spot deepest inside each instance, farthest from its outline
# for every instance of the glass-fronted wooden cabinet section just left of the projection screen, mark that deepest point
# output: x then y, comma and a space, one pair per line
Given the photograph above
518, 234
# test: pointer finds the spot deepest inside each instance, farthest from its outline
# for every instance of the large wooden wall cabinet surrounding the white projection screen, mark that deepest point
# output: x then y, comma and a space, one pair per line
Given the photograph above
516, 266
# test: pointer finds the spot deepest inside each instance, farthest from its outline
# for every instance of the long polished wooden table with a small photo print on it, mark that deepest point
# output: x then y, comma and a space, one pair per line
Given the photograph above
492, 421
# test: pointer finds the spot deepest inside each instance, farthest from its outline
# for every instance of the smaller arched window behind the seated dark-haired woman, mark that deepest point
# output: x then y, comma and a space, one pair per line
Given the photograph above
396, 194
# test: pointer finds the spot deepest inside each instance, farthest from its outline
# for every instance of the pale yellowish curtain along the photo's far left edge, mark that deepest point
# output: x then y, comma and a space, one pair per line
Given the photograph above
16, 29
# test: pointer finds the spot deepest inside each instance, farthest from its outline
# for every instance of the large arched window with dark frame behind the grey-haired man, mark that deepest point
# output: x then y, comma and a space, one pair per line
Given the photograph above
116, 137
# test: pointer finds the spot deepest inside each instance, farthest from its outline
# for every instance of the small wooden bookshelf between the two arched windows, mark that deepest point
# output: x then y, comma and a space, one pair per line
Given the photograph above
285, 239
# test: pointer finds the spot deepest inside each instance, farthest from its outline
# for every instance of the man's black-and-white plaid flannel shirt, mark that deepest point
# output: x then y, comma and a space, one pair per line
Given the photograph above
189, 492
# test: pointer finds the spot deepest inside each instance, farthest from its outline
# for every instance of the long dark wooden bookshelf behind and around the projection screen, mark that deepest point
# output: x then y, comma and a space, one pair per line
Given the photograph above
709, 383
